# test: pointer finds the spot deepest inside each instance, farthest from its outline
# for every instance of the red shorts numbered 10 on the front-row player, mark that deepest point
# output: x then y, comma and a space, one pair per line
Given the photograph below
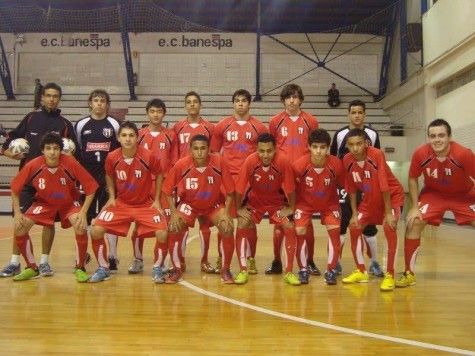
117, 219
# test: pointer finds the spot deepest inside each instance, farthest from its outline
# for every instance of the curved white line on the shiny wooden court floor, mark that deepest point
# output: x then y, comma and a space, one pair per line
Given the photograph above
320, 324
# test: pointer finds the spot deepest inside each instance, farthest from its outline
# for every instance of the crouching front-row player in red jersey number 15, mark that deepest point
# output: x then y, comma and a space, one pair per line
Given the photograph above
200, 179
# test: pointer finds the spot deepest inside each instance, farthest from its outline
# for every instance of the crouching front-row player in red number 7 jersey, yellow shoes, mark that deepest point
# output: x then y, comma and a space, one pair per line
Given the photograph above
266, 184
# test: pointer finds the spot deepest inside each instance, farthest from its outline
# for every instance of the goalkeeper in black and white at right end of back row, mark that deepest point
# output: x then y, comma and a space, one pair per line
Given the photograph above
356, 115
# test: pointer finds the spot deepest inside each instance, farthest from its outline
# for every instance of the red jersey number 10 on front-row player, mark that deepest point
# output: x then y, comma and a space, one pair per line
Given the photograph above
134, 176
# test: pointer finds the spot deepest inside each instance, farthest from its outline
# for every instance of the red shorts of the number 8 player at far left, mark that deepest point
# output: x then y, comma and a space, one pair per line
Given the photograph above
44, 214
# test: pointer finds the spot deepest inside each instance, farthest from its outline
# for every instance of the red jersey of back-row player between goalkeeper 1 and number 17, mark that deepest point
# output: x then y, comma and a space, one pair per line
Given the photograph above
163, 144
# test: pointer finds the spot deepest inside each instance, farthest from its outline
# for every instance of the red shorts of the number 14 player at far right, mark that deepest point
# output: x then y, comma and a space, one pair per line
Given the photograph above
433, 205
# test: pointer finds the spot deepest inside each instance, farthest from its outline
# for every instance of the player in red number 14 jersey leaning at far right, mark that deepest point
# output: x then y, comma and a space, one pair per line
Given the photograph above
449, 174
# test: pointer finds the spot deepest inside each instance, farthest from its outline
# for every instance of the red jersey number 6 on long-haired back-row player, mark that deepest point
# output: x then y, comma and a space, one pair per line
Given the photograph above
291, 135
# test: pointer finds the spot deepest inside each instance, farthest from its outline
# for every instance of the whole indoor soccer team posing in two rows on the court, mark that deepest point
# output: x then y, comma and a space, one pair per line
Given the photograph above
164, 179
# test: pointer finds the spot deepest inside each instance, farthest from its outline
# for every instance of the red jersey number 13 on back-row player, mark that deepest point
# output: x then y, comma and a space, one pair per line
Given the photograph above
237, 139
